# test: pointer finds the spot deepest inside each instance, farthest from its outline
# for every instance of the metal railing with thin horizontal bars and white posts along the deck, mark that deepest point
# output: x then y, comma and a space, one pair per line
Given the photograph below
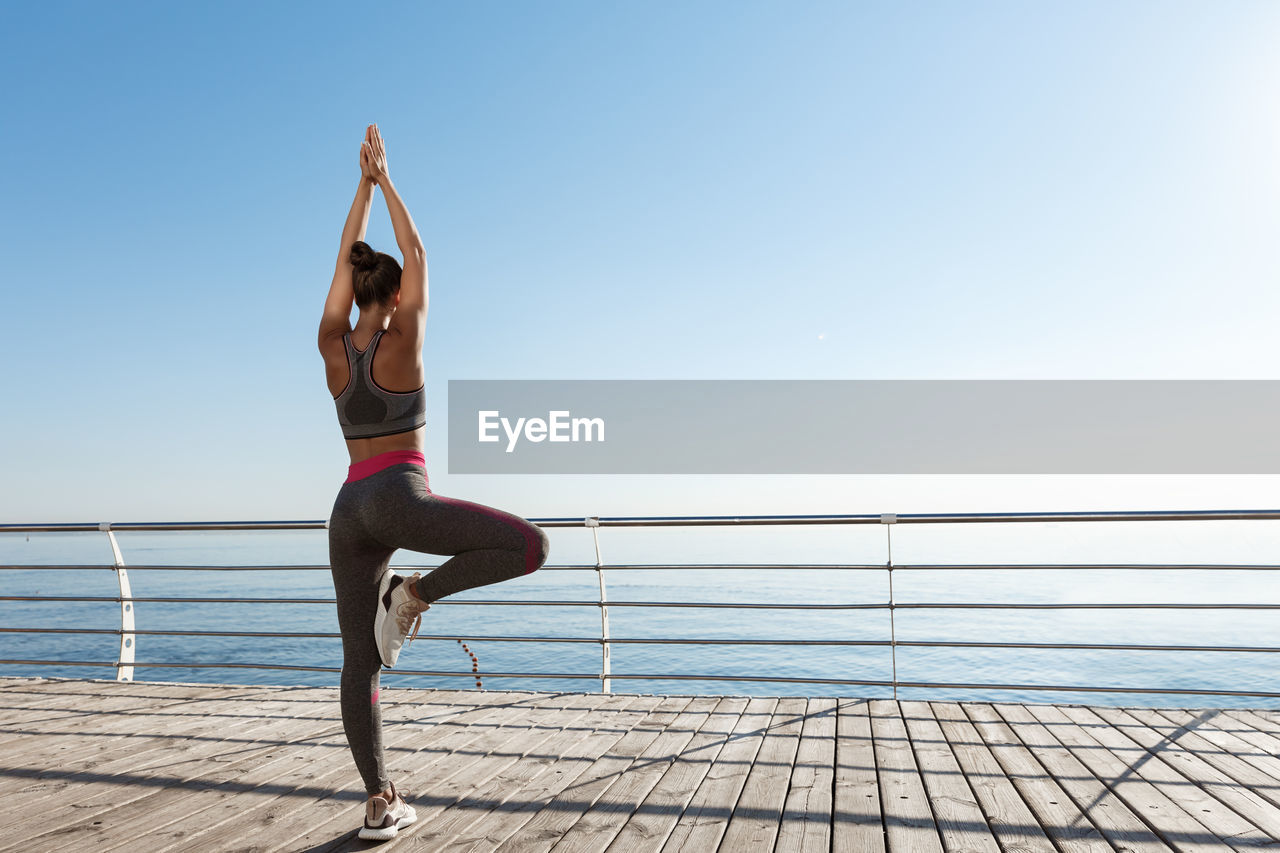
129, 632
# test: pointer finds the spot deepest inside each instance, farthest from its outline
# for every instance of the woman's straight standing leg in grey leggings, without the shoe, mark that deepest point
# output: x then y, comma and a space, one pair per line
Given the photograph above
358, 563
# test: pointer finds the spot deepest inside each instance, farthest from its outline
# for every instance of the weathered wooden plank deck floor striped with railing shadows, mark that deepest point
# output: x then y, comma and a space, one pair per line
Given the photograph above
90, 765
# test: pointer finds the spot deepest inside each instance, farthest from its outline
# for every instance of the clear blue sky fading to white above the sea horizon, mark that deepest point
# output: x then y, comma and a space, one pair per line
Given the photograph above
708, 190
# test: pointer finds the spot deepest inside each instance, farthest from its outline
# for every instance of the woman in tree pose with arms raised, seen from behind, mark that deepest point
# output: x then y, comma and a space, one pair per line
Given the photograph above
377, 380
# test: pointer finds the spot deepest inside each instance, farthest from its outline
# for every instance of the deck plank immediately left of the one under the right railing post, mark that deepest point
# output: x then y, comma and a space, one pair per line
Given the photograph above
858, 825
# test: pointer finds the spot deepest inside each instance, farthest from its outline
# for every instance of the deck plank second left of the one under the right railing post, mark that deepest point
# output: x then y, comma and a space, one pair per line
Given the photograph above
807, 813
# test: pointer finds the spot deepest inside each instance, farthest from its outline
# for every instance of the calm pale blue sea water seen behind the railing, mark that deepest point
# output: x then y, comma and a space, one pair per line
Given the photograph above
1114, 542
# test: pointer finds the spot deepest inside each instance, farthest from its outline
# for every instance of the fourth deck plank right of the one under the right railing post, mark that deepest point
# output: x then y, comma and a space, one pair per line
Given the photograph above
1124, 828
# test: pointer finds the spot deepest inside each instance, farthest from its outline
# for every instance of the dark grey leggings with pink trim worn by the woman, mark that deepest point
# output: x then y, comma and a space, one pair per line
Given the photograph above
396, 509
